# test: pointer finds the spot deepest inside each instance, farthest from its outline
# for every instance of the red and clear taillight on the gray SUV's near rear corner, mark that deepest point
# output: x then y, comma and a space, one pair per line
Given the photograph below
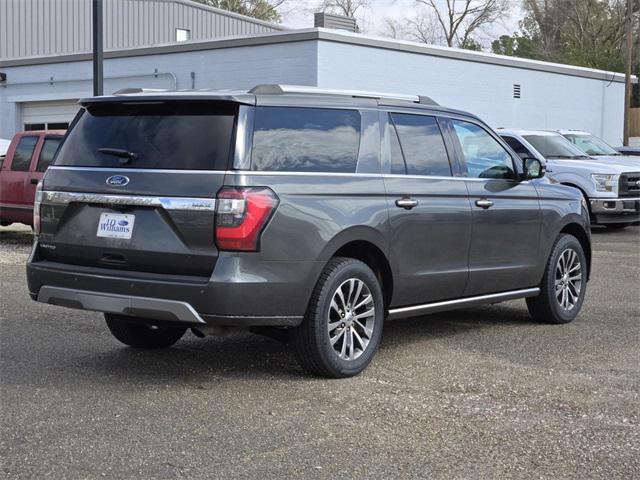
241, 215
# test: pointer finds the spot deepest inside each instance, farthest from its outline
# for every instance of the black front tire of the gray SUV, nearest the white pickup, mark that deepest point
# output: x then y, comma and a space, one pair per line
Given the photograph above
546, 307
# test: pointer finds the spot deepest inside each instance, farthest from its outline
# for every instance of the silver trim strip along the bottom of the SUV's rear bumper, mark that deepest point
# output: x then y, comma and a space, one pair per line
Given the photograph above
157, 308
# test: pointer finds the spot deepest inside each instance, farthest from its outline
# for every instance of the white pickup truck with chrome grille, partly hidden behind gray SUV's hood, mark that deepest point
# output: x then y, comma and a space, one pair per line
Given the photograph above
609, 183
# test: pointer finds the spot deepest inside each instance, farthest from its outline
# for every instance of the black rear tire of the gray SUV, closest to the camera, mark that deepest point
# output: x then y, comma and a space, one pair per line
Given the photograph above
311, 340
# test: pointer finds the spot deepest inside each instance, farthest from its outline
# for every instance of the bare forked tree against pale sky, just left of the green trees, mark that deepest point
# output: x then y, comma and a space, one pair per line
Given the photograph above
460, 19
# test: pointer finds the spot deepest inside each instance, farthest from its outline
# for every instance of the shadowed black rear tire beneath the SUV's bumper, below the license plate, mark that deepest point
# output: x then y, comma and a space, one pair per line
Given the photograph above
140, 334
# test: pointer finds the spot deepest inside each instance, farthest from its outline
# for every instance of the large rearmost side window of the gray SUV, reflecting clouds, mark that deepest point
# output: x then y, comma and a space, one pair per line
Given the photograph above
305, 140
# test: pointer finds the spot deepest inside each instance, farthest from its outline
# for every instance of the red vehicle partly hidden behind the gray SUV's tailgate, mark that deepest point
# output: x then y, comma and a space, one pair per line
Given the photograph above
29, 155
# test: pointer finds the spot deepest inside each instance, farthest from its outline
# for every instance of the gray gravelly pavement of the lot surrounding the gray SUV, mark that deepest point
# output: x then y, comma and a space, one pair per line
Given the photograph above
476, 393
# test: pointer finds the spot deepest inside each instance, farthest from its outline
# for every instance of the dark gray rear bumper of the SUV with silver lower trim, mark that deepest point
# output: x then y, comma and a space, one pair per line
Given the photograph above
240, 292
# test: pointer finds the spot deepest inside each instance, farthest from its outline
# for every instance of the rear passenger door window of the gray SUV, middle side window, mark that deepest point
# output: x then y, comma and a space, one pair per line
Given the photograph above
422, 145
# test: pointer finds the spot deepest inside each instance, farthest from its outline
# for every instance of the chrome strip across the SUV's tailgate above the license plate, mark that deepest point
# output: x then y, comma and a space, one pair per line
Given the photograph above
168, 203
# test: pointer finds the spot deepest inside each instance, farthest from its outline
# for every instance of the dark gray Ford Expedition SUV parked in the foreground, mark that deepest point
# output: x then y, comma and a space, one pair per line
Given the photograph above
308, 215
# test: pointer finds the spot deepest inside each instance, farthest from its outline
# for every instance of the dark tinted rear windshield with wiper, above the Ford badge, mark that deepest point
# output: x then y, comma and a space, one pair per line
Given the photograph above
163, 135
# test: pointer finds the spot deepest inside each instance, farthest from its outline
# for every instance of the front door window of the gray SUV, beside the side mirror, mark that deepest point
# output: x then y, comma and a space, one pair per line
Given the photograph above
484, 157
